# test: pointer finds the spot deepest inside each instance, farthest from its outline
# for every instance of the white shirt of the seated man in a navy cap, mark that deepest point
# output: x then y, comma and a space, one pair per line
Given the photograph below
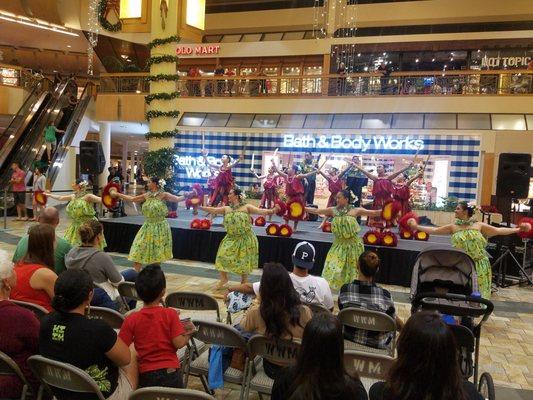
312, 289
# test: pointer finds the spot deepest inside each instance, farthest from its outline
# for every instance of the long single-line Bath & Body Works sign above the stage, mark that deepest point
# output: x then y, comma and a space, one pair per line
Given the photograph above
359, 143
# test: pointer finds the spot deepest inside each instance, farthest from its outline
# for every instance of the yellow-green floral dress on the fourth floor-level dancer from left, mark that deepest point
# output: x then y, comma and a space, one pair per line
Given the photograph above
340, 266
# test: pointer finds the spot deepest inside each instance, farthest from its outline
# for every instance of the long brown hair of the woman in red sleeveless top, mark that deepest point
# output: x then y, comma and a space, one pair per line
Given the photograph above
41, 246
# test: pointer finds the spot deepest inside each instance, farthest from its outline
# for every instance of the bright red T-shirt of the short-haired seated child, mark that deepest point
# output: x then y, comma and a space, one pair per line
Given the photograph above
151, 330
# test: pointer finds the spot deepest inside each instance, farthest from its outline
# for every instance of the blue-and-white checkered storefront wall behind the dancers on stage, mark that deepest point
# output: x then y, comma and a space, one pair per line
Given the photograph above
462, 151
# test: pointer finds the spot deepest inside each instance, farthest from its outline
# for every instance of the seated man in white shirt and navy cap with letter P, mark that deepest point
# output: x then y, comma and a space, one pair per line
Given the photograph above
312, 289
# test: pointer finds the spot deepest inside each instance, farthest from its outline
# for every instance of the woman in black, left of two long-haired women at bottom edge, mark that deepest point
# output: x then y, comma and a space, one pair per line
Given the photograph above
319, 375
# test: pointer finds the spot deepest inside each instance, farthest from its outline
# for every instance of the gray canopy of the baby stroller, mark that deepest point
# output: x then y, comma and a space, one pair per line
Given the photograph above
444, 264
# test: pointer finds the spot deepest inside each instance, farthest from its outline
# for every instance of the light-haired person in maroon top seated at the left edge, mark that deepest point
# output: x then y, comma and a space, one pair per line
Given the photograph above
21, 339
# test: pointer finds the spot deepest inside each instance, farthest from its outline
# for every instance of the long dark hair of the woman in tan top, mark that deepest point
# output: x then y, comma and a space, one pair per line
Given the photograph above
280, 303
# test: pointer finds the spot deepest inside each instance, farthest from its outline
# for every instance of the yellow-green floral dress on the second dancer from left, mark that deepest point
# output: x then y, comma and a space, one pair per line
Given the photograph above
153, 242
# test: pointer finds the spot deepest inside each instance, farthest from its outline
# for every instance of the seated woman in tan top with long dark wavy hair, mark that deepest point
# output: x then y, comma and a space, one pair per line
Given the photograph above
280, 313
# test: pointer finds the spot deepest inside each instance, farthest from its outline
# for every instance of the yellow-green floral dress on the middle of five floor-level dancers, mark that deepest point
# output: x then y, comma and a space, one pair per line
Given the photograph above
239, 250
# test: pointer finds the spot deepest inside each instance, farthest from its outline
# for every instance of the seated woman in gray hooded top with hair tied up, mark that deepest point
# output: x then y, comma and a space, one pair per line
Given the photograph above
99, 265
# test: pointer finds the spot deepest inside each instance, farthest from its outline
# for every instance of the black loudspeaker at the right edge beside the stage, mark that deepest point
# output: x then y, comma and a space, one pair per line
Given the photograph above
513, 175
